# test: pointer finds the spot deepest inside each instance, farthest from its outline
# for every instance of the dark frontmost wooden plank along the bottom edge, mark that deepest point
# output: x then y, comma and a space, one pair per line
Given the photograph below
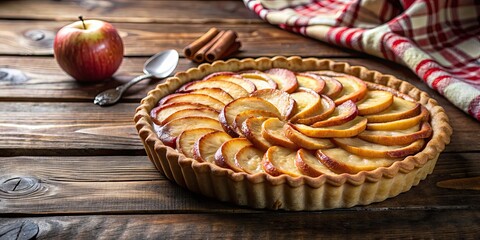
417, 224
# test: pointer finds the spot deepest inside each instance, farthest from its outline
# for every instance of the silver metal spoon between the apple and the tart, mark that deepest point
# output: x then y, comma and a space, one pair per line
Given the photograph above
160, 65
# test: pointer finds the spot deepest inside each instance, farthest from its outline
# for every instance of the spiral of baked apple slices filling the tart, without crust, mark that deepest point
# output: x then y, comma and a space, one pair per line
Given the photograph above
295, 123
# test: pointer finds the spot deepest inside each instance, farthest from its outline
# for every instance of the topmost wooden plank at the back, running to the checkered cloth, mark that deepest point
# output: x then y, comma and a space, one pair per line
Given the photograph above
130, 11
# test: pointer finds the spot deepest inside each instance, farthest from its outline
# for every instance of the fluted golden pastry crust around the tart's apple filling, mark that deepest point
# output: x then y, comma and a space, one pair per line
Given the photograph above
286, 192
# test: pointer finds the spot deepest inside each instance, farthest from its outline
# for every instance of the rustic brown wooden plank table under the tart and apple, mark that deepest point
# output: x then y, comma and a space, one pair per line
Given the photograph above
71, 169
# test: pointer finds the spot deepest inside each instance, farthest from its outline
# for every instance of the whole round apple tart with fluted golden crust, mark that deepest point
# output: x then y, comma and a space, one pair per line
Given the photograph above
291, 133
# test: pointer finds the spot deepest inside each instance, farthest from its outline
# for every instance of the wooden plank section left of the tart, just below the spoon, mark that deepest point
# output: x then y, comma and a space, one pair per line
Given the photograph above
67, 128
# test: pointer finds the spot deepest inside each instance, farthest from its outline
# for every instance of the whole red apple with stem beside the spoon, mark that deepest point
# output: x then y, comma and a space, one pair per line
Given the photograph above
89, 50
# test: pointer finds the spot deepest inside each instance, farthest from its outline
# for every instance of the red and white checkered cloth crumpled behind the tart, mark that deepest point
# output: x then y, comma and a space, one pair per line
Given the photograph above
438, 39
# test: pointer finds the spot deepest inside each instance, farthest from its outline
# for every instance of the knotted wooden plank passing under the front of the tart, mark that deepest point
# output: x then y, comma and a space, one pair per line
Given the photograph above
122, 184
